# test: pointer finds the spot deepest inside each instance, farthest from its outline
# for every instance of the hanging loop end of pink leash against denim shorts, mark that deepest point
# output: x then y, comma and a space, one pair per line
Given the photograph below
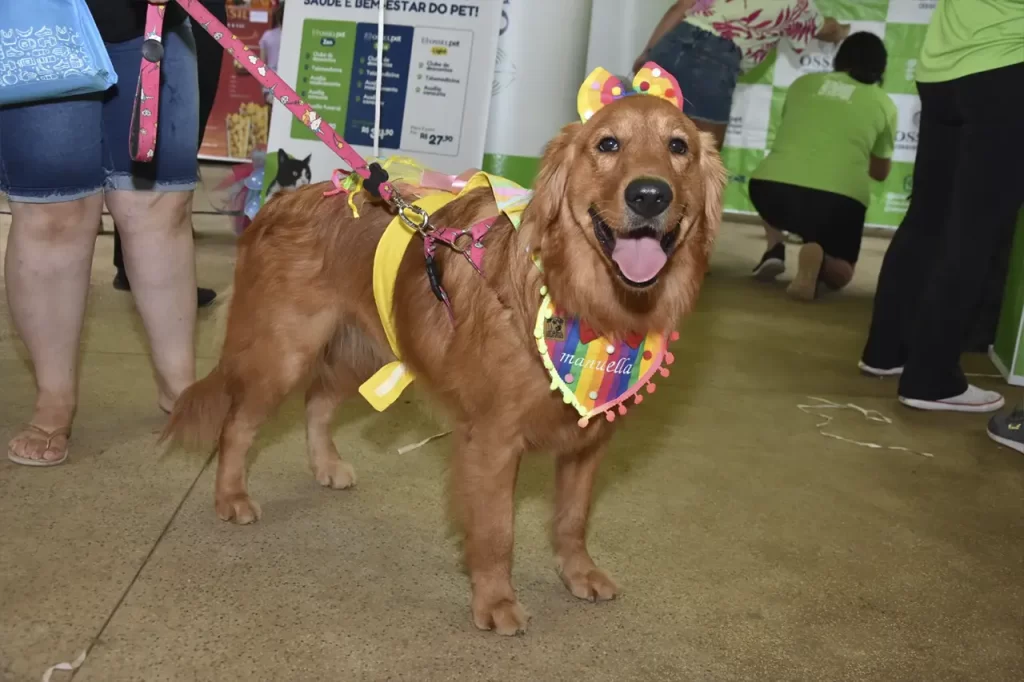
146, 114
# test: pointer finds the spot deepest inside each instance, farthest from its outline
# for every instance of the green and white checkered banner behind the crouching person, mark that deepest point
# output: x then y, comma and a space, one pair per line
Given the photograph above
758, 104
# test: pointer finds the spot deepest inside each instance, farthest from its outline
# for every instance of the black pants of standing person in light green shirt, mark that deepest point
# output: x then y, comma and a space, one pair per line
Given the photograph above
968, 189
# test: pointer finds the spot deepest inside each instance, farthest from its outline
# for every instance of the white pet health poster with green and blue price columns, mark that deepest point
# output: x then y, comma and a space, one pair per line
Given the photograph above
439, 67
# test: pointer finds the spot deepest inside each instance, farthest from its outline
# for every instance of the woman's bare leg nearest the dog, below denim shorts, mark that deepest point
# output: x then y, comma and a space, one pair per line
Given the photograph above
160, 260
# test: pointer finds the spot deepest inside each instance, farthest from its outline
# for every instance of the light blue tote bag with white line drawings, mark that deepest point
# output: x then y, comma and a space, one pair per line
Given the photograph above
51, 50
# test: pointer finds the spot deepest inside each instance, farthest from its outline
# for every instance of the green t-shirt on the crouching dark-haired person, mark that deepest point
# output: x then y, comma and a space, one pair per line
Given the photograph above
832, 125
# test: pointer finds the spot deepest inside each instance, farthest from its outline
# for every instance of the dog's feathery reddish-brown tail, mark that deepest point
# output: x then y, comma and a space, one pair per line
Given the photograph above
200, 413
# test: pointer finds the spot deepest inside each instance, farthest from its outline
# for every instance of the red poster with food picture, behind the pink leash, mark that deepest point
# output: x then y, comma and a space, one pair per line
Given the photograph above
240, 120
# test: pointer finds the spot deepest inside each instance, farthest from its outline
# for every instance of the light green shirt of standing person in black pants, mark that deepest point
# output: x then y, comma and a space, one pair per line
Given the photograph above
968, 37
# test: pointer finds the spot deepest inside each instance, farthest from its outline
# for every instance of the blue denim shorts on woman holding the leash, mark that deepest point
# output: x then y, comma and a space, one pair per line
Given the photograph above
65, 150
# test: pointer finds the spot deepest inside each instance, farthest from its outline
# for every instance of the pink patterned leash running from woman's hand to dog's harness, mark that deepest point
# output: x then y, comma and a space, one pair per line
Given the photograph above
145, 135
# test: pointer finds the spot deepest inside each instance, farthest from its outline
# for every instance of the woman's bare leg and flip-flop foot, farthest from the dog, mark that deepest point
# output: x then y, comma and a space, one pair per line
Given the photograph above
47, 271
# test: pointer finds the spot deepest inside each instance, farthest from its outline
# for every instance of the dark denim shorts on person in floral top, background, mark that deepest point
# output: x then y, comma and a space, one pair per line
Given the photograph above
707, 68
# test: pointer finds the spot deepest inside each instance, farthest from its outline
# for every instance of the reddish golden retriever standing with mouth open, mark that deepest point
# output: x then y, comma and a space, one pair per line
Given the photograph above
304, 316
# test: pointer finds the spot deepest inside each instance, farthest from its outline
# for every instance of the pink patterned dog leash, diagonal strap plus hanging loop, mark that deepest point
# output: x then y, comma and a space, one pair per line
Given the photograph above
377, 181
